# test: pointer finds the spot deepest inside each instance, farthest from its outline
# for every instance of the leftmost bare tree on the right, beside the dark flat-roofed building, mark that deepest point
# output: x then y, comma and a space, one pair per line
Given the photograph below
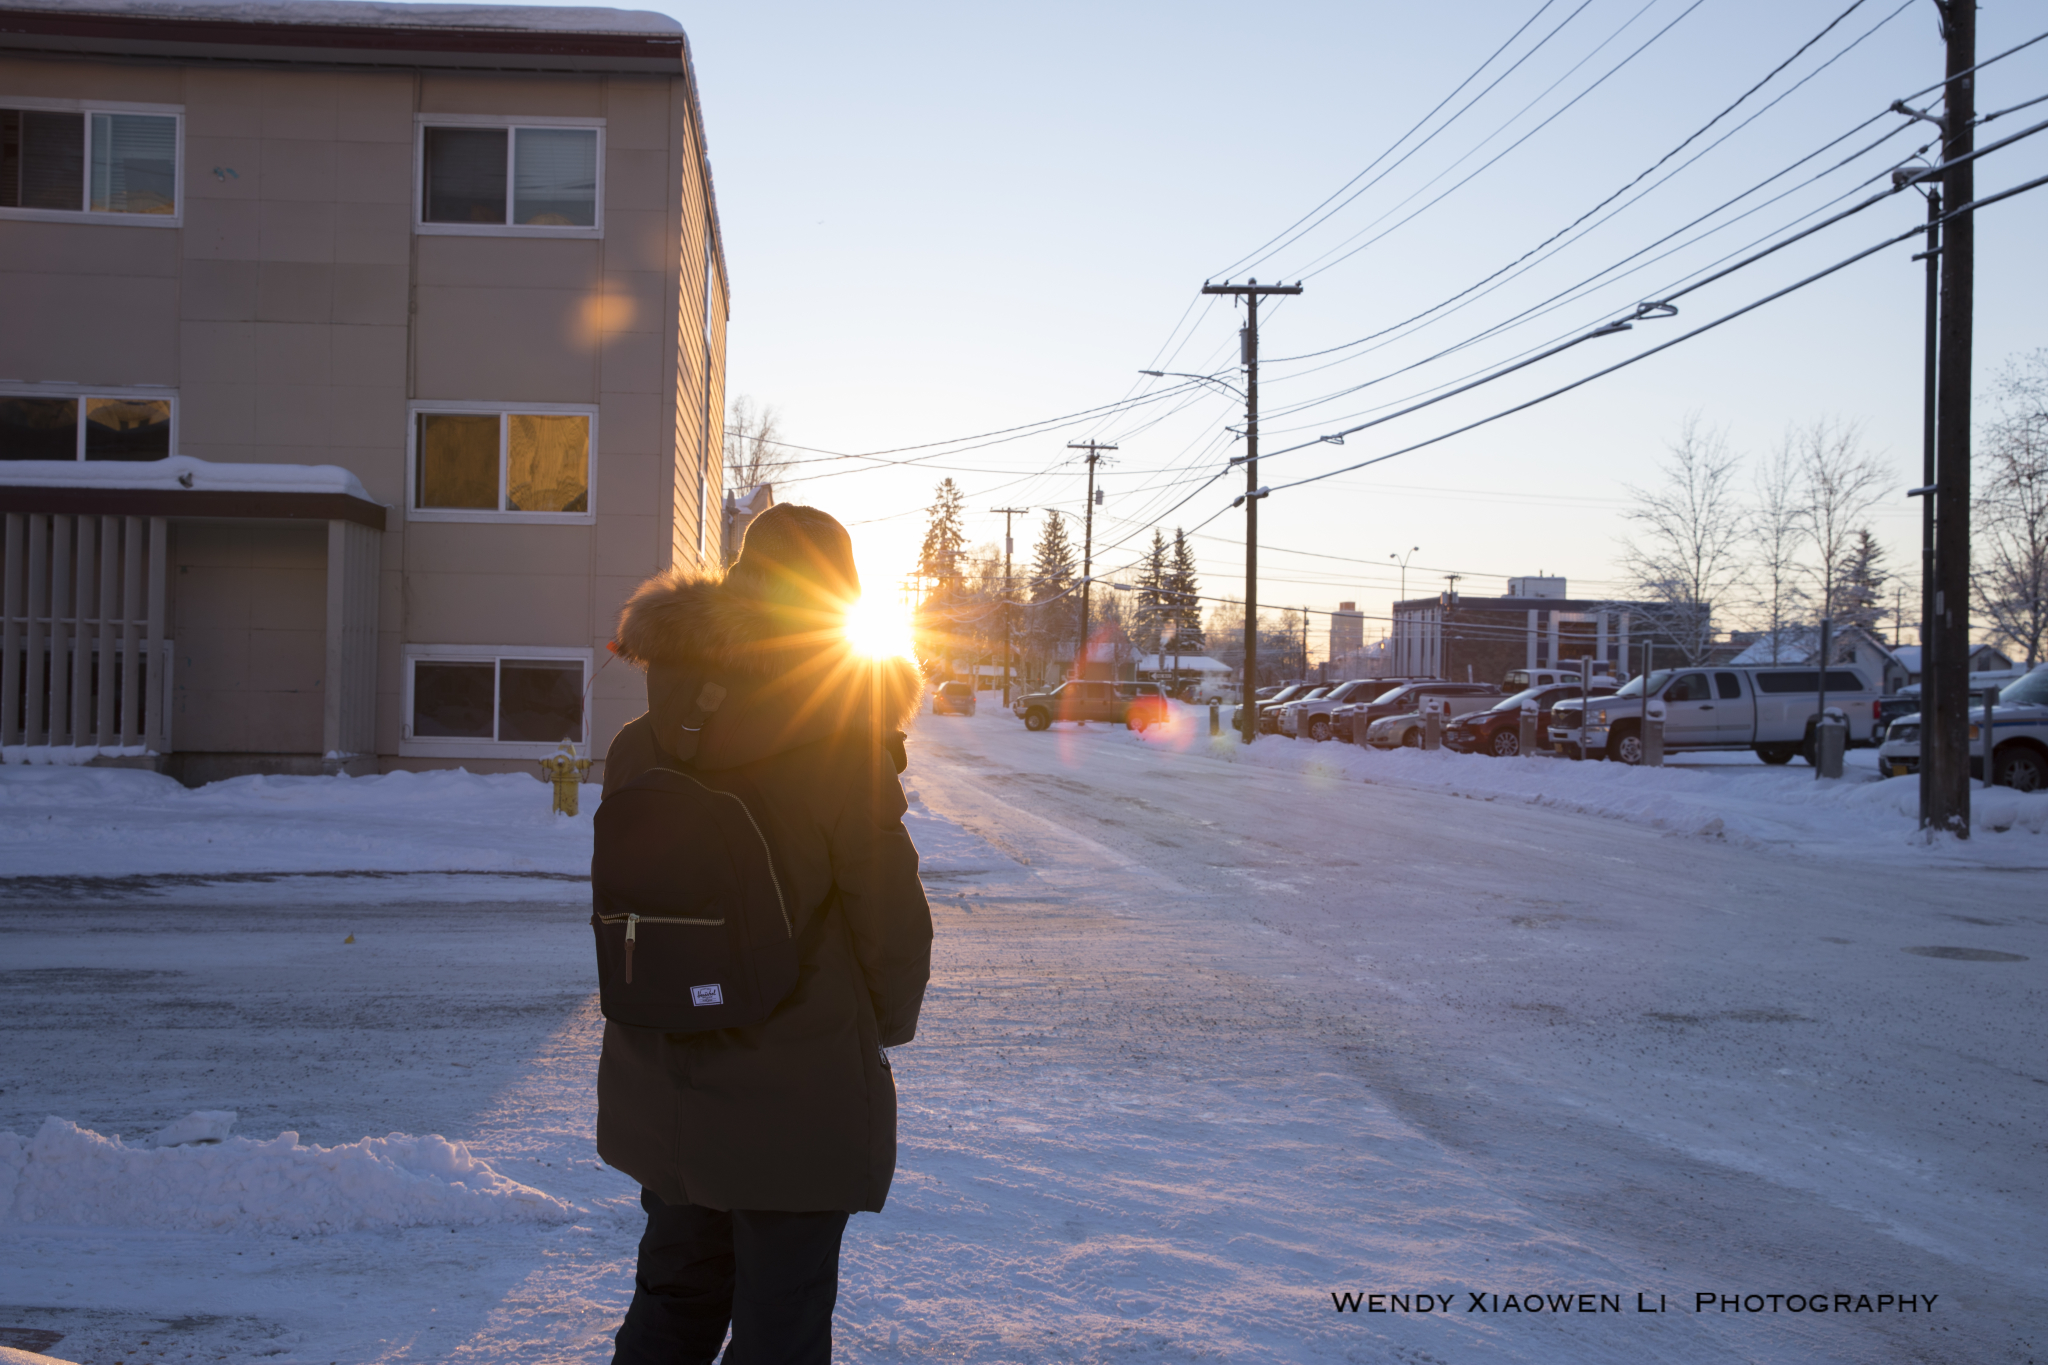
1687, 554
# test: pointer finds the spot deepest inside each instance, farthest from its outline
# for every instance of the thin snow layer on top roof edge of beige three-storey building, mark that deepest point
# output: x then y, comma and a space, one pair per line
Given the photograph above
368, 15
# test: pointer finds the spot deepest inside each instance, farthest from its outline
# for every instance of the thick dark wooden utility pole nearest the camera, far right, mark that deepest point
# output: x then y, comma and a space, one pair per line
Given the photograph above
1947, 721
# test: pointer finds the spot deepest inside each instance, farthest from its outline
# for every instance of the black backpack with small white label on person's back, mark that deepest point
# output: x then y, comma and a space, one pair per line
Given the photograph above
693, 924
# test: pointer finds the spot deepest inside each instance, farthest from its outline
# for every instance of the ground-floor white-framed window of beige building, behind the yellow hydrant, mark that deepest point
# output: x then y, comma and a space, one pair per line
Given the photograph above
466, 701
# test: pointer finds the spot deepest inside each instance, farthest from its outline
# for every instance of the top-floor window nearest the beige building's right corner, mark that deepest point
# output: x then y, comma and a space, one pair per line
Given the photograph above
503, 177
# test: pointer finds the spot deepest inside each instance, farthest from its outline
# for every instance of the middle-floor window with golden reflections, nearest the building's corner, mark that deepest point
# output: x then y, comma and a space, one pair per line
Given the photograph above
503, 464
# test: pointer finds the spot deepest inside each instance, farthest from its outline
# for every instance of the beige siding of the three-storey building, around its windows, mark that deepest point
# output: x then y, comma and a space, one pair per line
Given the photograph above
296, 314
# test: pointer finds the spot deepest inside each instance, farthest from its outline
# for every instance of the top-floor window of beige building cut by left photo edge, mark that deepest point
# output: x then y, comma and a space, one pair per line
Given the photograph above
62, 161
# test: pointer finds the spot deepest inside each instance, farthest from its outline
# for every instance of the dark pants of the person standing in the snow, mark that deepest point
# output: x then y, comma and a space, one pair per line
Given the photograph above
771, 1276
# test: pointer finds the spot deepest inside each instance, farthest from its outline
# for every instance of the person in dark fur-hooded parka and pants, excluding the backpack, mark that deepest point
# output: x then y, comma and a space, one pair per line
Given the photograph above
755, 1145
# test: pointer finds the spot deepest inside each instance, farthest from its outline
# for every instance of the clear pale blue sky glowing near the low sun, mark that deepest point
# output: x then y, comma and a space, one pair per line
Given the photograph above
955, 220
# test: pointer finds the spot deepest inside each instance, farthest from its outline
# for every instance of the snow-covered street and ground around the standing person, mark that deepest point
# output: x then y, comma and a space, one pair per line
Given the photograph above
1213, 1034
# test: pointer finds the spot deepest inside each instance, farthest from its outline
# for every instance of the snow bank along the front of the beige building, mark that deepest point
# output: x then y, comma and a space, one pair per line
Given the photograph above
112, 822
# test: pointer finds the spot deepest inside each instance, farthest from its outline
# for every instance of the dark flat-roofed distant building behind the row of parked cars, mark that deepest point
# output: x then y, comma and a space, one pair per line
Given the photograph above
1482, 640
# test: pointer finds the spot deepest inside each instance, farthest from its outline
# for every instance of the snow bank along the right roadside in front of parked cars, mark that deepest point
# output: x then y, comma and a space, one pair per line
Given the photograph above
1746, 803
